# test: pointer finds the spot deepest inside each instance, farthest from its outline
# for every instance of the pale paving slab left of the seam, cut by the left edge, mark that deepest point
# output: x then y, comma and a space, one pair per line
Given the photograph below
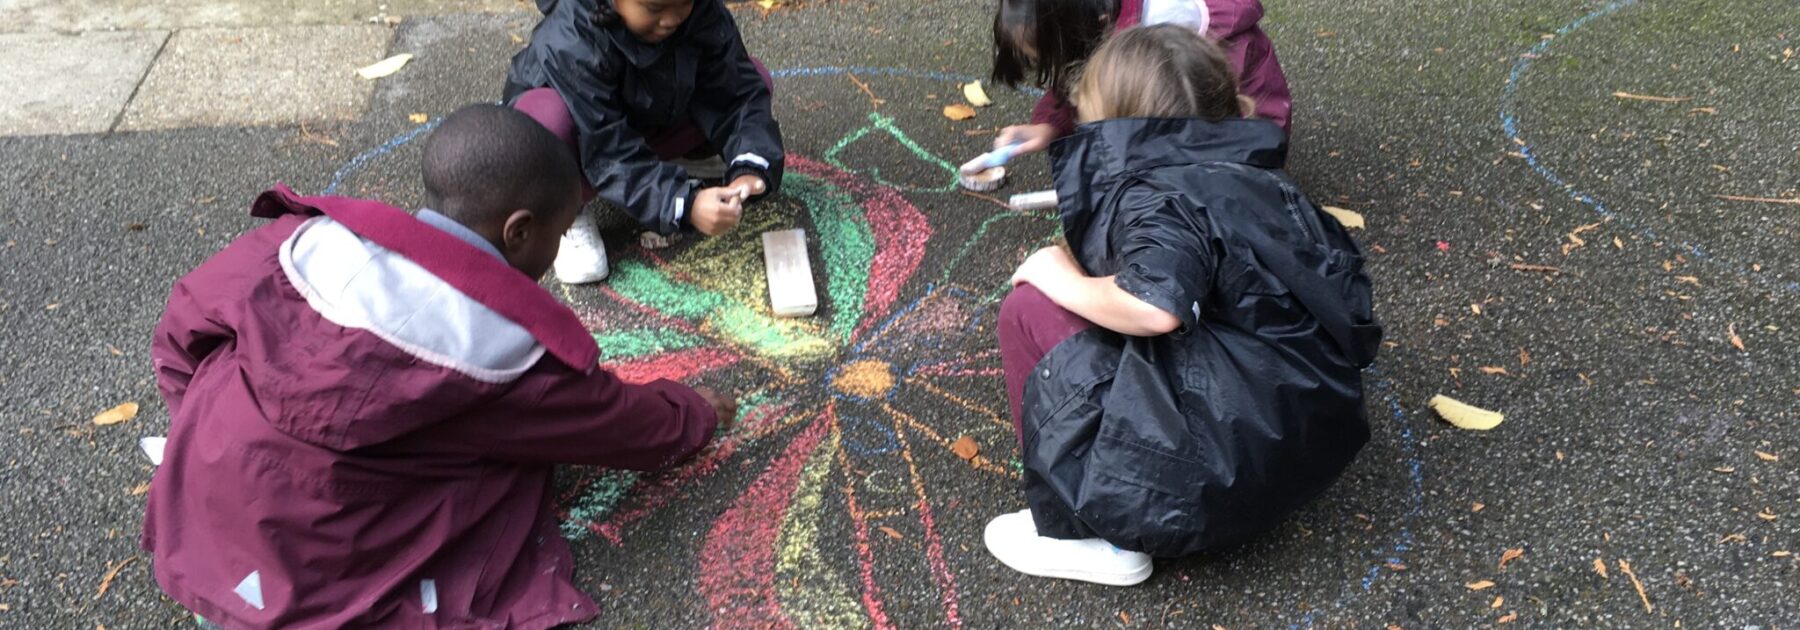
71, 84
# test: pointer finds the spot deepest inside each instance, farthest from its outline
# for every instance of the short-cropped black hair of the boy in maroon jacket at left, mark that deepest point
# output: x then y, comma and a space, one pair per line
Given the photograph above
487, 161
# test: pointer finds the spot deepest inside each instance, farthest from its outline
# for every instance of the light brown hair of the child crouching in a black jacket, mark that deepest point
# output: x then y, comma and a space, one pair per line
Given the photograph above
1158, 73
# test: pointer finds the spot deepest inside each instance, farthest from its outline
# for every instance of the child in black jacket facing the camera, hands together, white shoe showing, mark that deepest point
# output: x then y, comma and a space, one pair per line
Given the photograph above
654, 98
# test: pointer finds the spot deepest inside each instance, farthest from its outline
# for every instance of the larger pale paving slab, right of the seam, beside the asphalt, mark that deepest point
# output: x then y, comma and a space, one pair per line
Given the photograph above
258, 76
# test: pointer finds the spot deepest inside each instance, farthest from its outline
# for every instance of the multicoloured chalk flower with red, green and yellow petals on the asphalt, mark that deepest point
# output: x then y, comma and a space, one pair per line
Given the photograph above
841, 397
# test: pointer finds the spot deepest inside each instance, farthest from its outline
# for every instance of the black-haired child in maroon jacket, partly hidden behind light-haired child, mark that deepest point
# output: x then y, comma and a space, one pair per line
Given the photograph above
1047, 40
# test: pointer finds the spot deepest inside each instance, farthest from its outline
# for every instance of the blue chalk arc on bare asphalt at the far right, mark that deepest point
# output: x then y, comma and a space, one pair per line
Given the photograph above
1509, 121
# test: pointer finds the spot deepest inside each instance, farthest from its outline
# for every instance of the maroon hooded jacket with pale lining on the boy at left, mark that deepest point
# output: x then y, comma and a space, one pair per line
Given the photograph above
364, 415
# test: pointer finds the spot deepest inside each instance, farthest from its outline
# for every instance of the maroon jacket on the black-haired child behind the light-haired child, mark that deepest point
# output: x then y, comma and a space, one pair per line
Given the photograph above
1236, 24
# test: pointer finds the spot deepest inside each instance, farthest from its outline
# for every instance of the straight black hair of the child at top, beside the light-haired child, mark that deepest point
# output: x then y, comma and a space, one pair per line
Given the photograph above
1063, 33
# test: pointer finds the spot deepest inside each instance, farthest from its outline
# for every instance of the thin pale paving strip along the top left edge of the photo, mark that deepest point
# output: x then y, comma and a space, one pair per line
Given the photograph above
170, 15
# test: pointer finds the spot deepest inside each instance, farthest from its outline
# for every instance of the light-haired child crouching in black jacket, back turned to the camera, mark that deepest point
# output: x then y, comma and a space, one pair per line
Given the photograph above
1187, 372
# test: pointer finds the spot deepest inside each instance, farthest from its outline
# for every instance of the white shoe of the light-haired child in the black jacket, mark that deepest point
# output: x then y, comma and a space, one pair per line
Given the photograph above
1014, 541
